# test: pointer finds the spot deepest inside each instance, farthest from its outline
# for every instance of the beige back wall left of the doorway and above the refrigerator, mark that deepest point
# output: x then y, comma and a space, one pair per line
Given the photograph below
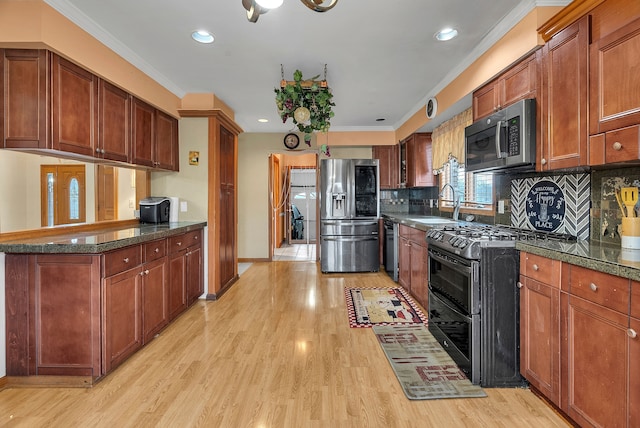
253, 187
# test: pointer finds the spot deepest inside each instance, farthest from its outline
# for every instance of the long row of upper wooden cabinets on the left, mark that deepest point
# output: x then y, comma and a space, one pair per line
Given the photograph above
51, 104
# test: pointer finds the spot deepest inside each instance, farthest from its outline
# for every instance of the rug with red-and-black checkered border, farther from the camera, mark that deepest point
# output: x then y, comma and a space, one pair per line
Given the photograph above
386, 306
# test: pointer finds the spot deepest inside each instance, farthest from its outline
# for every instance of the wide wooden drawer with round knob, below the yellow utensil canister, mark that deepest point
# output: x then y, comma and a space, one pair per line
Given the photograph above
600, 288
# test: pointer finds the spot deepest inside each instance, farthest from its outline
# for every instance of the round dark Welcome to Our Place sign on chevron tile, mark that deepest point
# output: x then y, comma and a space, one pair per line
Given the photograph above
545, 206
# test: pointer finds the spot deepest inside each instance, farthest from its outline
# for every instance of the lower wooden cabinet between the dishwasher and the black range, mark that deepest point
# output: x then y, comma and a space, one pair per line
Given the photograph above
413, 271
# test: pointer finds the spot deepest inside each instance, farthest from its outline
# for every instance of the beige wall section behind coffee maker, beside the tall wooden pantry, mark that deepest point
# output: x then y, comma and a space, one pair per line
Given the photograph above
190, 184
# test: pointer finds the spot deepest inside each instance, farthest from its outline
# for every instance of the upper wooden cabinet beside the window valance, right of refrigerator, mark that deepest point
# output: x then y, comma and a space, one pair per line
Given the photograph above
416, 161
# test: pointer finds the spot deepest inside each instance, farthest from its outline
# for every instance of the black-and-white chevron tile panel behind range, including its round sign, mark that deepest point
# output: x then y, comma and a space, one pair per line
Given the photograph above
559, 204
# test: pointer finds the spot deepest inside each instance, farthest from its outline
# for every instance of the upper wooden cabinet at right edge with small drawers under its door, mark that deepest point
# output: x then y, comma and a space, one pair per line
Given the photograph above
614, 108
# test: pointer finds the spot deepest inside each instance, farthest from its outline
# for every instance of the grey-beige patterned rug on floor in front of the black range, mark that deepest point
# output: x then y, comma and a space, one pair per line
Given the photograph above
423, 367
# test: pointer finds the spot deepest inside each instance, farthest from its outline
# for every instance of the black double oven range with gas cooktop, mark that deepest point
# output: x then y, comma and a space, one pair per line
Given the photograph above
474, 298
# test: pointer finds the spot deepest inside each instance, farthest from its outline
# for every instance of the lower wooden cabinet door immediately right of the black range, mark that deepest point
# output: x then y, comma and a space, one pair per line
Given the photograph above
540, 337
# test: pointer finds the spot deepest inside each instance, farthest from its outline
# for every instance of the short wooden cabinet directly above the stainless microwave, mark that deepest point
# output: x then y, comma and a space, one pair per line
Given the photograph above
518, 82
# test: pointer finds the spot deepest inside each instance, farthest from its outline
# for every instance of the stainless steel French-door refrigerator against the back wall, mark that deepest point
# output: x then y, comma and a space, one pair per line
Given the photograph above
349, 211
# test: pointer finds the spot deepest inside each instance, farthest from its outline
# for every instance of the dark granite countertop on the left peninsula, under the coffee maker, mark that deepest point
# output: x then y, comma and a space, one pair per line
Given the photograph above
99, 241
